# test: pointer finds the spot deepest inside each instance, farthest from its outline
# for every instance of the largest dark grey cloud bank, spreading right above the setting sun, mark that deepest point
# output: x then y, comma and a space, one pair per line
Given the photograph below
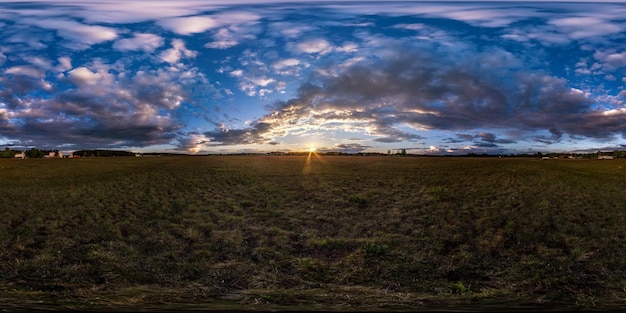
424, 91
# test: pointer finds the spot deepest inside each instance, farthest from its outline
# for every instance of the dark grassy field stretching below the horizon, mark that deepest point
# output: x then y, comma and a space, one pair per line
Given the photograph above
318, 232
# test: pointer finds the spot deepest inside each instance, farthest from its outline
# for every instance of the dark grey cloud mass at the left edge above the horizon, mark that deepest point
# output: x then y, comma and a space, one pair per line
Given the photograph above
103, 106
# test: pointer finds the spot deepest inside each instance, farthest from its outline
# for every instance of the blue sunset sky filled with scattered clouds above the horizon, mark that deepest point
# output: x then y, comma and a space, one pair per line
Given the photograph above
353, 76
